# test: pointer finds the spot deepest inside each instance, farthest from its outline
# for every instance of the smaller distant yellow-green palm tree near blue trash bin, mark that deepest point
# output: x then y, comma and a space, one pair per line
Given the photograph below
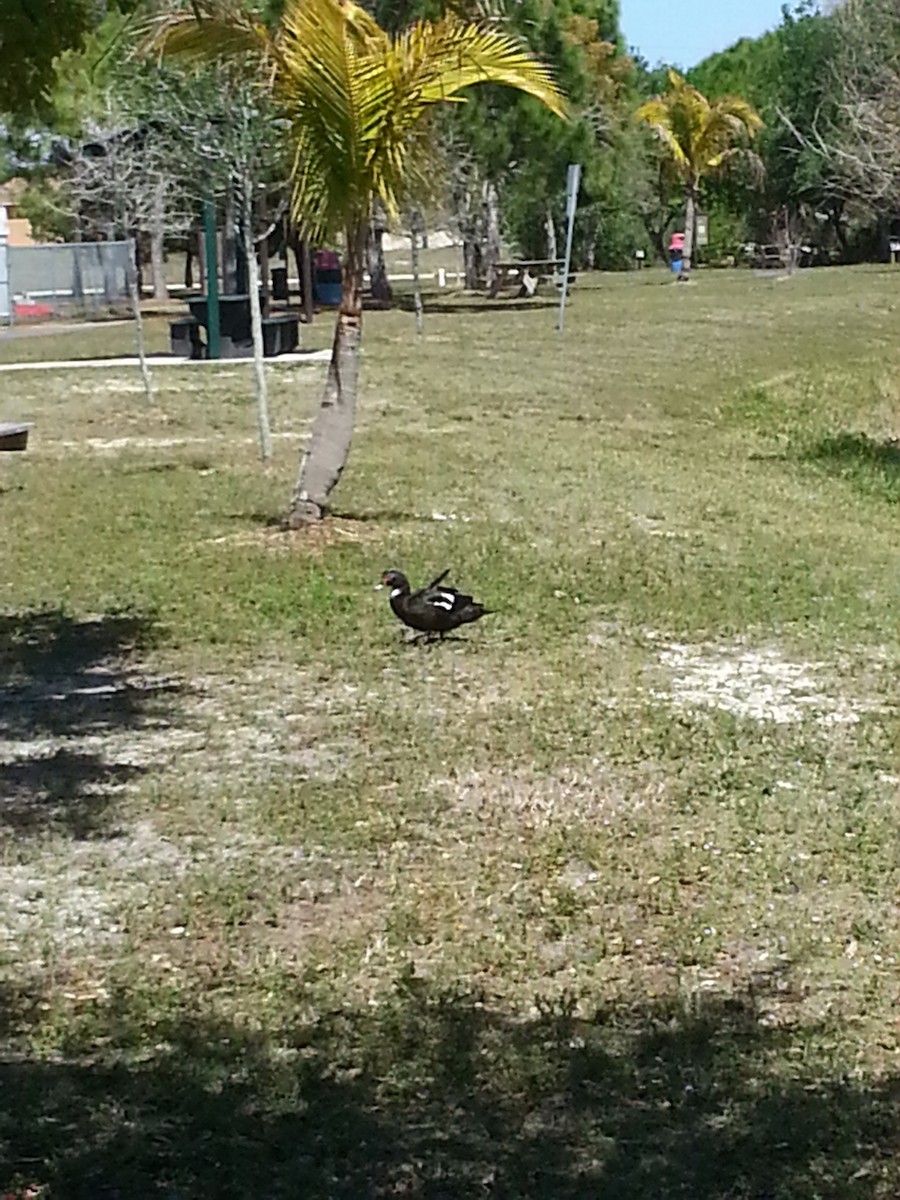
700, 139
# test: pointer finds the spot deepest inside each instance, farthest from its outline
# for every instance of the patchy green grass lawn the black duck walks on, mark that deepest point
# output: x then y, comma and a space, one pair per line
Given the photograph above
601, 903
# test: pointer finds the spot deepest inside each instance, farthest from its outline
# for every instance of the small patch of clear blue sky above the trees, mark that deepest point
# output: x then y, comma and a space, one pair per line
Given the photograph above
685, 32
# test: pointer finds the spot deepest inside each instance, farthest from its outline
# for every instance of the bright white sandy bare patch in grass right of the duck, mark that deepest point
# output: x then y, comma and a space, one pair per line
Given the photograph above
759, 685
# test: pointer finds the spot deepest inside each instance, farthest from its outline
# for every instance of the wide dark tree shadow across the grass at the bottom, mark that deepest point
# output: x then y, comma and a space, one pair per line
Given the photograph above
439, 1096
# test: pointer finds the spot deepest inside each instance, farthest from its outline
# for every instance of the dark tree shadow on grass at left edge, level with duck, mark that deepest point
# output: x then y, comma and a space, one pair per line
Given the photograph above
67, 689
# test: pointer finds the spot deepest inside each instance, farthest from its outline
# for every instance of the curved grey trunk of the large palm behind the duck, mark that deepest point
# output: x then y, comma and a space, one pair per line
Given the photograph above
329, 448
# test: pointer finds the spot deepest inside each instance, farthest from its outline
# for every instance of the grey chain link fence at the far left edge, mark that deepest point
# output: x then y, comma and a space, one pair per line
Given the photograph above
71, 280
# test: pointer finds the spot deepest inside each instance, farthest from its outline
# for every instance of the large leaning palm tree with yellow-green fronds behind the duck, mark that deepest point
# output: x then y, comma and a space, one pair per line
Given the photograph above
359, 101
